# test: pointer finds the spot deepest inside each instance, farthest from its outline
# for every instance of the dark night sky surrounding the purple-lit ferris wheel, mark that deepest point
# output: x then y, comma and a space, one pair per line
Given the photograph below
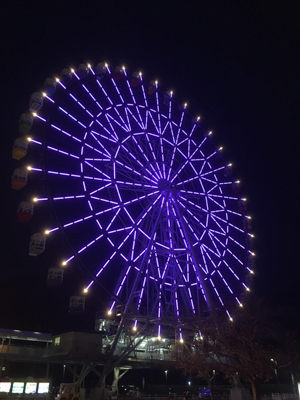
235, 63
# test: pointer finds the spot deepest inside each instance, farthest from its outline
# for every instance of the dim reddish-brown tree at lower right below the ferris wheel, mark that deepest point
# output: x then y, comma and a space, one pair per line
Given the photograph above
244, 346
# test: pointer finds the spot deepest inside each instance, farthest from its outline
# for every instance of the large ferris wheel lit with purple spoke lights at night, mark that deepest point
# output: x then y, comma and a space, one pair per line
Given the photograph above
142, 193
